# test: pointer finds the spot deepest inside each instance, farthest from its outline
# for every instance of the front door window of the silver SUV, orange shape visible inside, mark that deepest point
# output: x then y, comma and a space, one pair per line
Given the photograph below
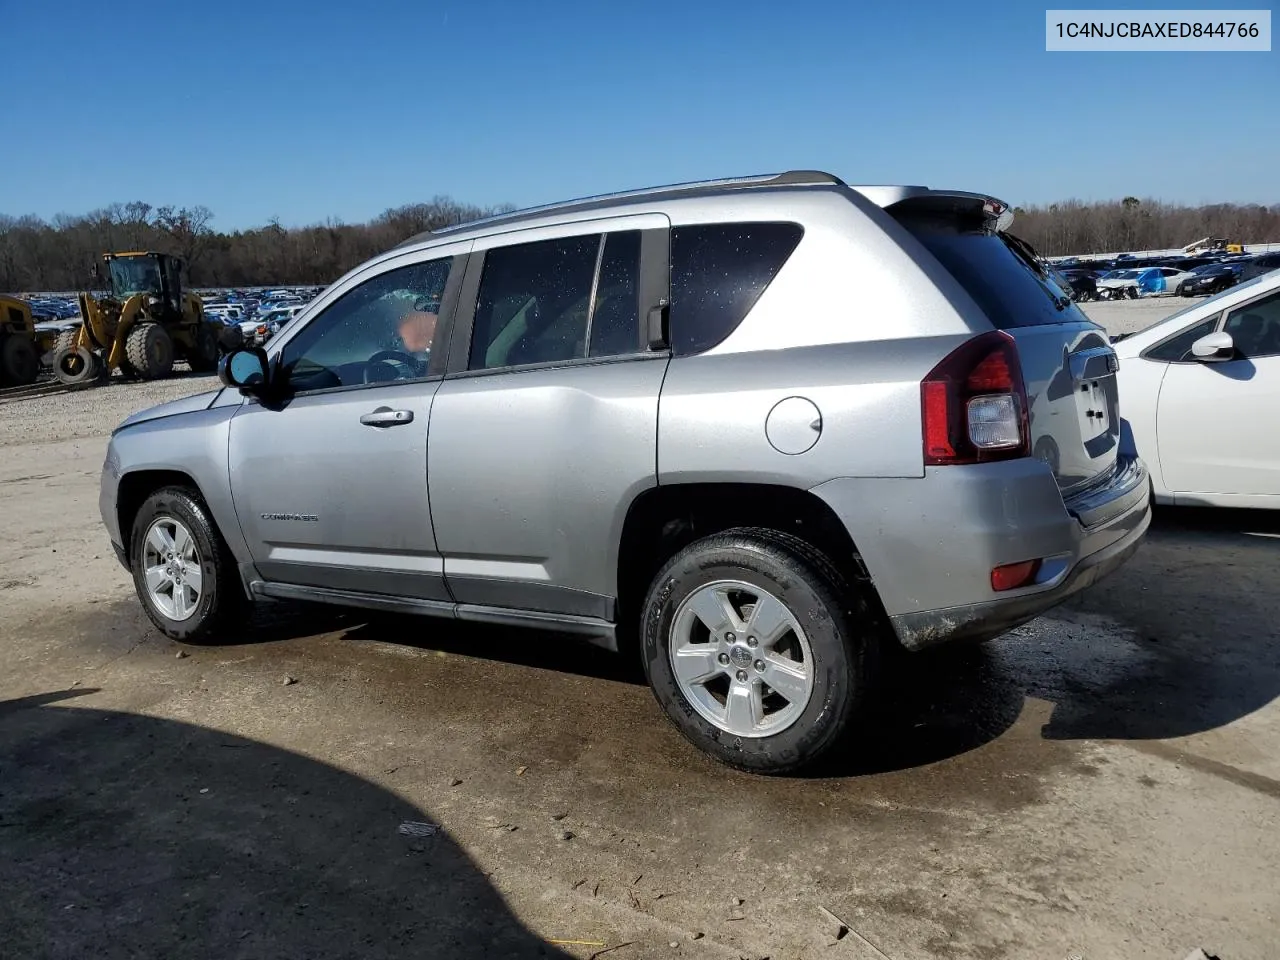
380, 332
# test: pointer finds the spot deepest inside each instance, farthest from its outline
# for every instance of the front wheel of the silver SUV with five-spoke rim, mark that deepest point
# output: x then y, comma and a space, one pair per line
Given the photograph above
212, 604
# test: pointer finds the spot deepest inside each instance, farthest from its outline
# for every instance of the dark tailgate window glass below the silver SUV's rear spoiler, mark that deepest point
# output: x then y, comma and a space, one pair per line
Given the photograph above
1008, 290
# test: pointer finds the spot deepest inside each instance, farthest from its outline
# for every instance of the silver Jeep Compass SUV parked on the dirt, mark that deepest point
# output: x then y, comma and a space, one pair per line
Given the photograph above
758, 431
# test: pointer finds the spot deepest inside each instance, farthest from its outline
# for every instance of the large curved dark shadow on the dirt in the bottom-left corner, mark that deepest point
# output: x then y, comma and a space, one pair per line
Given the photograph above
126, 836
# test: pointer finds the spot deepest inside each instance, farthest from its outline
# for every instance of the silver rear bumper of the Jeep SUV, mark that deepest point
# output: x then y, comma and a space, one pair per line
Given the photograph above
931, 545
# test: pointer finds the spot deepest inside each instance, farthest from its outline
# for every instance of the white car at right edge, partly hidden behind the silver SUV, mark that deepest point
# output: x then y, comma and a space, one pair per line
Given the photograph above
1200, 392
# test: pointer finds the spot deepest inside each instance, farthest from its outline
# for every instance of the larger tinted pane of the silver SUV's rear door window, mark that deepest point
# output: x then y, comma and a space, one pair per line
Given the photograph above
534, 303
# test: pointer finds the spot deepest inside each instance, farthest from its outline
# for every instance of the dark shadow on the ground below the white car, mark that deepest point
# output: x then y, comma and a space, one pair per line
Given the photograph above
1196, 648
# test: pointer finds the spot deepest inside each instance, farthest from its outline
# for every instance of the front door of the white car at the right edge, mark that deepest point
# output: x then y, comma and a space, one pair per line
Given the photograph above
1219, 423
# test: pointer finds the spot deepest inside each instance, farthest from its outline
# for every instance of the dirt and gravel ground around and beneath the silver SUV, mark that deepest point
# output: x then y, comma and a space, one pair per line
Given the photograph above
1103, 783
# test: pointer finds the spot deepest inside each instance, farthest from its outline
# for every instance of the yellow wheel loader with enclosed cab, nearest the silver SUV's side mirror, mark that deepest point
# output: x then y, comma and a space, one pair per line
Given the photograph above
141, 327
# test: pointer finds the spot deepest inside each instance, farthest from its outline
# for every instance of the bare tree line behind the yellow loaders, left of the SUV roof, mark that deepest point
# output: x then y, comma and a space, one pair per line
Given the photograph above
40, 255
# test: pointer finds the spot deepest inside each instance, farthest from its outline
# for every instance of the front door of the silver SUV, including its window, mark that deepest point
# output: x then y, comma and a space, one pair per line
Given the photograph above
331, 484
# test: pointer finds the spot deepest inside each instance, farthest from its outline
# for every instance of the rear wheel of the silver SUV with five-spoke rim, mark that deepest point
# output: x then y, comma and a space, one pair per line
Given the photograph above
835, 625
